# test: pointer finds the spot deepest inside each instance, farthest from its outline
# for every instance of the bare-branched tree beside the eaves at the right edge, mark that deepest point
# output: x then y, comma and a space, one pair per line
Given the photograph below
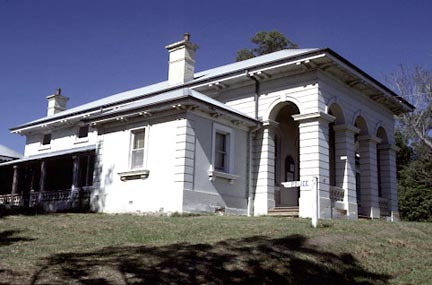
415, 86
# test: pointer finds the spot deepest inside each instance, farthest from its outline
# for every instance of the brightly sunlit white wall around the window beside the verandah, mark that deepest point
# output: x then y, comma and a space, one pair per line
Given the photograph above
156, 193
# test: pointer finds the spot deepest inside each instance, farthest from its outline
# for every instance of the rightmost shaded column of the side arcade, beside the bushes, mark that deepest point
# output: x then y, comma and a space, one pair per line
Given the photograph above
389, 178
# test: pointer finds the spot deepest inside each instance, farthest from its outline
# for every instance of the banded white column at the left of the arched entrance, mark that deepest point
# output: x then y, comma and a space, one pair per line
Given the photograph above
264, 170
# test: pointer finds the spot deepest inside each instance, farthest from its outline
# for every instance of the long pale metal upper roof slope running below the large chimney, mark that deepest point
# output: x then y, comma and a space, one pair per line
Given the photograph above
164, 86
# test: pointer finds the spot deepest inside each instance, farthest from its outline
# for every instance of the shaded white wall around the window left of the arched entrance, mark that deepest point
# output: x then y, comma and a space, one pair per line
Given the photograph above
209, 194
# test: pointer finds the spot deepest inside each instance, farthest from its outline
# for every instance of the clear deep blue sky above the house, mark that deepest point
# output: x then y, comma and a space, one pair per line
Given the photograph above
96, 48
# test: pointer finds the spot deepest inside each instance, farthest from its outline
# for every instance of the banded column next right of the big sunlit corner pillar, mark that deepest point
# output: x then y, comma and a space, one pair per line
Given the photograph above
345, 166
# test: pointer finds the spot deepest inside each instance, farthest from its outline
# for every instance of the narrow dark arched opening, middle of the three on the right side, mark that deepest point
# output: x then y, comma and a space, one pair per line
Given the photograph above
359, 123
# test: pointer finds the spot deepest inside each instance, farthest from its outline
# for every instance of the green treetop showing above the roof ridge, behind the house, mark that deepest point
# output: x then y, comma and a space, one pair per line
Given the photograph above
266, 42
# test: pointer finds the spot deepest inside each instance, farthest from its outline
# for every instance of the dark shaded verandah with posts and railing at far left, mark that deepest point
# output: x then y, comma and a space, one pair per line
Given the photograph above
57, 181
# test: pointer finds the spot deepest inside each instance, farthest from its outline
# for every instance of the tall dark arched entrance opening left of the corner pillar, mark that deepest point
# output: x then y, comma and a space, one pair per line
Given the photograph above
287, 162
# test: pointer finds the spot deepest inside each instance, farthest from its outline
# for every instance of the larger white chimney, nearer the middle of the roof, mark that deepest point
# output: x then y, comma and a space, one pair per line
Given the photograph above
181, 61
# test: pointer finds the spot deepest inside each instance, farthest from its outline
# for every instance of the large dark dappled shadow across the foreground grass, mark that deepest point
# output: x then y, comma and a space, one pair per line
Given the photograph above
254, 260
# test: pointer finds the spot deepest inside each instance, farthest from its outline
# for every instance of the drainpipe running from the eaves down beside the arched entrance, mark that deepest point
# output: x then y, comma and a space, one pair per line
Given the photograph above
251, 194
